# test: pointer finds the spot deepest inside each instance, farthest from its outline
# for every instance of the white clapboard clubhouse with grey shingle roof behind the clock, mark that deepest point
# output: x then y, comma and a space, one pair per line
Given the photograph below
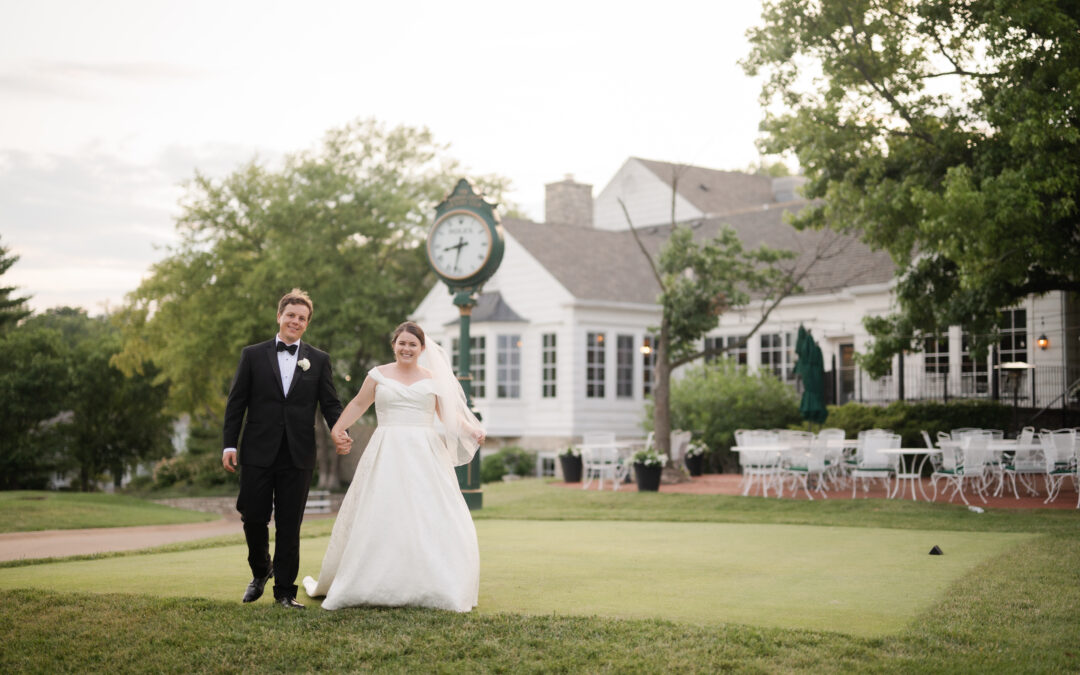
562, 333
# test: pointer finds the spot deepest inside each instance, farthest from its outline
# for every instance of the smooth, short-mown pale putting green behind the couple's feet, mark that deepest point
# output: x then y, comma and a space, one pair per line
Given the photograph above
774, 576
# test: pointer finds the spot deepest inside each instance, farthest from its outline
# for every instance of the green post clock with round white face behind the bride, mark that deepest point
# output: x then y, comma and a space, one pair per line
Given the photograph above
465, 248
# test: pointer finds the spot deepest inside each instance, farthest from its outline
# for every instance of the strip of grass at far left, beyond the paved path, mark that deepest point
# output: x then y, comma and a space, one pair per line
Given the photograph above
23, 511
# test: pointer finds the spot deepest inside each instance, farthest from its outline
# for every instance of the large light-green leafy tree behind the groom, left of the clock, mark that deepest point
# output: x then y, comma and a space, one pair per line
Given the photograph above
345, 223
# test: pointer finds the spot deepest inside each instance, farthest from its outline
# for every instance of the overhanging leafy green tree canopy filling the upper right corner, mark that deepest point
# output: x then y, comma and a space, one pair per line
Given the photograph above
944, 132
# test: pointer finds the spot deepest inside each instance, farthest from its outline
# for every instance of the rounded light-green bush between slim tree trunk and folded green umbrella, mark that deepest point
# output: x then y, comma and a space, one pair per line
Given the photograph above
714, 400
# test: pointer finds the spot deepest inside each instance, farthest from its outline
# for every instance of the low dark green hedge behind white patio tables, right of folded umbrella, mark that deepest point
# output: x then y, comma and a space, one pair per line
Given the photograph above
909, 420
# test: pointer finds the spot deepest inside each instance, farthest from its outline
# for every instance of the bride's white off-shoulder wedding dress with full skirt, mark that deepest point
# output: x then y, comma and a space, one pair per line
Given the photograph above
403, 535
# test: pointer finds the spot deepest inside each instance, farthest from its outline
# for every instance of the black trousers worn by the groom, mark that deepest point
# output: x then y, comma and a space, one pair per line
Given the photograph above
283, 490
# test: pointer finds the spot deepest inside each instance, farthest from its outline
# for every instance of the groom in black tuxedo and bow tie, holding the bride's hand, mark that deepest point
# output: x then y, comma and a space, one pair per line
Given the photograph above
278, 385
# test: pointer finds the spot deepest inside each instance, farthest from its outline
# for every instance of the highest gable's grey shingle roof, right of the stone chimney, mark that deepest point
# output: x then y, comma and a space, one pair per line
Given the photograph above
714, 192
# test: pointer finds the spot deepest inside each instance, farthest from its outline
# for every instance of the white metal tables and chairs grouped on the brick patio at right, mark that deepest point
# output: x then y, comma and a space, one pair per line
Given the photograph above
965, 463
